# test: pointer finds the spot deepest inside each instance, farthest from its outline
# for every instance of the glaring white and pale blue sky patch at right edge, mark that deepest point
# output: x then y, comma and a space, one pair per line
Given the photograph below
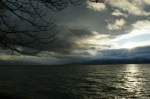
136, 38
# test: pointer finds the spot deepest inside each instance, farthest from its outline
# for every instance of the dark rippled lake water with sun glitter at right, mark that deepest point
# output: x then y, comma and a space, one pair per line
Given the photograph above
129, 81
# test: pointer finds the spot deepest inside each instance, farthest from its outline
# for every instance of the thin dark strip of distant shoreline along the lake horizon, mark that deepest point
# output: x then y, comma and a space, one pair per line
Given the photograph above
2, 62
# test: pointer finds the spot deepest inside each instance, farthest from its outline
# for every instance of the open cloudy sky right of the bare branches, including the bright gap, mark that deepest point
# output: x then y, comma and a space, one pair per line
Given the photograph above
91, 28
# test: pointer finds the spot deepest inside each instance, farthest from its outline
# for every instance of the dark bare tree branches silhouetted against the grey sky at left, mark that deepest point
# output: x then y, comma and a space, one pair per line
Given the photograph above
24, 27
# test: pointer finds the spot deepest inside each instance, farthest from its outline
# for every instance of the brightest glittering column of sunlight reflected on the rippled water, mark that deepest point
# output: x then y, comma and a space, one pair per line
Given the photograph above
133, 79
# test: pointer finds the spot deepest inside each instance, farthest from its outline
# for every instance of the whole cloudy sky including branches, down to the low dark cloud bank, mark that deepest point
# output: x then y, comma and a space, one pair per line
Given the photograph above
73, 27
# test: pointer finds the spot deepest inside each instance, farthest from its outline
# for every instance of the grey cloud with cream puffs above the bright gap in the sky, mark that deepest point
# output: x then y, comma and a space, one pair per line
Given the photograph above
113, 16
